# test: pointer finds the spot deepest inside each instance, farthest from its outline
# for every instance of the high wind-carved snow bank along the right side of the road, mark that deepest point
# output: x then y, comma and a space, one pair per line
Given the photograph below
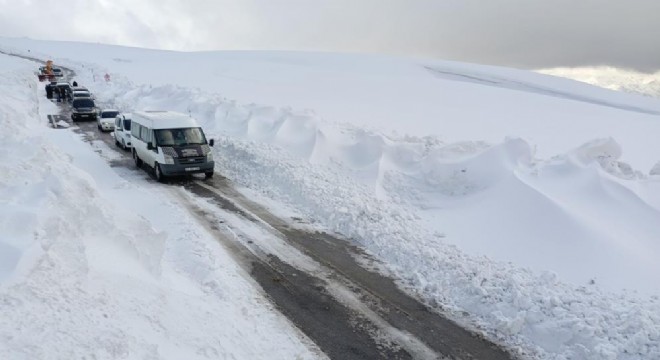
383, 193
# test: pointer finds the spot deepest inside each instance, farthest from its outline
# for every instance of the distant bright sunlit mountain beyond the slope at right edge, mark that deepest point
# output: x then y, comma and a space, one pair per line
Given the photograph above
612, 78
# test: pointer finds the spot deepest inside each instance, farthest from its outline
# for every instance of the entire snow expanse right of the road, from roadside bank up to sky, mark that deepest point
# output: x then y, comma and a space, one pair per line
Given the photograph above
534, 249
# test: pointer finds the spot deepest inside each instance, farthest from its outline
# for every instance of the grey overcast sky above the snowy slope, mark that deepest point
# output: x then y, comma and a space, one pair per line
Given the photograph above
516, 33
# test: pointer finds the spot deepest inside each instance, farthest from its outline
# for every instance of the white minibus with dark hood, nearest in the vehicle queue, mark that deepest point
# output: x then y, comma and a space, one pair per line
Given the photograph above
171, 143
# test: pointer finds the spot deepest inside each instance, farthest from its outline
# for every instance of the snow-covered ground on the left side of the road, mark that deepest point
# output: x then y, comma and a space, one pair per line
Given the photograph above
95, 265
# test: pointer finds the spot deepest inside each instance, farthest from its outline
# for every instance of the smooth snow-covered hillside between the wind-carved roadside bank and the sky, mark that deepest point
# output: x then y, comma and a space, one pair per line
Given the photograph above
396, 97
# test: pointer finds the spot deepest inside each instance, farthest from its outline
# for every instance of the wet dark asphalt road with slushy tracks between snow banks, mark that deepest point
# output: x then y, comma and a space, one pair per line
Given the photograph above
320, 281
